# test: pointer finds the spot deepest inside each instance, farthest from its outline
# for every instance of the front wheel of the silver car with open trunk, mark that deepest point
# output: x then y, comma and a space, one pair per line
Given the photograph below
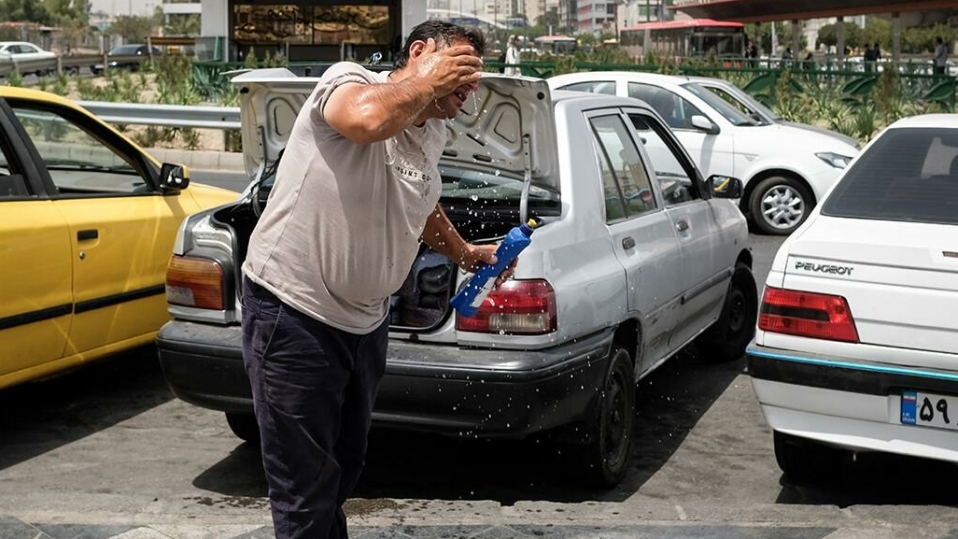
727, 338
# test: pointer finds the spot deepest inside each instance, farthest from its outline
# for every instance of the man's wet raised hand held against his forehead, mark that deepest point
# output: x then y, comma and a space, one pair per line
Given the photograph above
447, 69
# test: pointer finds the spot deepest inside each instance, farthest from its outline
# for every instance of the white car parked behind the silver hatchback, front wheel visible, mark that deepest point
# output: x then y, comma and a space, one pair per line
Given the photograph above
786, 170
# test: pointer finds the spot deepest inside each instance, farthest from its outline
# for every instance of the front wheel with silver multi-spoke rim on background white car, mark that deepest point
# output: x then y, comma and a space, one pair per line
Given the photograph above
779, 205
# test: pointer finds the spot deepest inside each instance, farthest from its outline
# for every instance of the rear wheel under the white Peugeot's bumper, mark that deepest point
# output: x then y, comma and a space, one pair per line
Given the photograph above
805, 461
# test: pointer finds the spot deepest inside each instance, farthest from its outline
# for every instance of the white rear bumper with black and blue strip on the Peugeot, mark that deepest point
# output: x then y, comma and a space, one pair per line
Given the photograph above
854, 405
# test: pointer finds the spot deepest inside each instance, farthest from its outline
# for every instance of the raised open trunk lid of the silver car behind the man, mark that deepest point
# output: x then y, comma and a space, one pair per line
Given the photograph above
507, 127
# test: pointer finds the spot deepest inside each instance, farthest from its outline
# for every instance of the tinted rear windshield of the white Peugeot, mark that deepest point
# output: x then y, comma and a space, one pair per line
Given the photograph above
906, 175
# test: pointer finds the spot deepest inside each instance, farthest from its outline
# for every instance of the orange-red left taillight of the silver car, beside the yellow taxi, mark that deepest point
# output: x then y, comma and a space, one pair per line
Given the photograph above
194, 282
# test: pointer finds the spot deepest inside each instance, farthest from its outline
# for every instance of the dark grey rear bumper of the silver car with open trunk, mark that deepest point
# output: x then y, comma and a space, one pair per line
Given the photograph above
436, 388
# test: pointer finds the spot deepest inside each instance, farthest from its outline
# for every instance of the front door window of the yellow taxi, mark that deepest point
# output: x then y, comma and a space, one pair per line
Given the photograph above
79, 162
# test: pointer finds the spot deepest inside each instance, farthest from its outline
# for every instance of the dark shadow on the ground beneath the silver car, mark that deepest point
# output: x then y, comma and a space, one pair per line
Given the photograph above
408, 465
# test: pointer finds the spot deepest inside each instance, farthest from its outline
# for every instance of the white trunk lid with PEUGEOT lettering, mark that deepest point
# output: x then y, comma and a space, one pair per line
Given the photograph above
900, 279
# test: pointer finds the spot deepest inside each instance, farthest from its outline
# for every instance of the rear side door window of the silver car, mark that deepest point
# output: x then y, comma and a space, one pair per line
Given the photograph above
627, 188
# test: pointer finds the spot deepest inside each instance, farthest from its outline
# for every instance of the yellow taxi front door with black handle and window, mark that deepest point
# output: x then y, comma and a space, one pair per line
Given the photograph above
120, 226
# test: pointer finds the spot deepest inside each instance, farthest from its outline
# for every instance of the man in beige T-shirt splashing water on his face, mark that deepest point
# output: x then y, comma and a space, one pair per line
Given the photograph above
356, 190
